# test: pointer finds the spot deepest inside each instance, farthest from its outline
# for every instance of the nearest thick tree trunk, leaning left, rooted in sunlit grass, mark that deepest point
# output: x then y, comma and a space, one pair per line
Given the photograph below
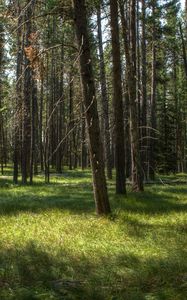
90, 104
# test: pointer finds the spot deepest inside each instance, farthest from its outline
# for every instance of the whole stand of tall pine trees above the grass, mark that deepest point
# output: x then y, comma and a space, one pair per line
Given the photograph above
93, 84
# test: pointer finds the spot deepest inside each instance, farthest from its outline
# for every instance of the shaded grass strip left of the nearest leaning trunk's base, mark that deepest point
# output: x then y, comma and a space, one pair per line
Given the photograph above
73, 200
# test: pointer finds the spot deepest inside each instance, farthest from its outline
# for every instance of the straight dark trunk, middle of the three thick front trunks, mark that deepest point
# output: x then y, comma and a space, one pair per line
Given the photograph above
117, 102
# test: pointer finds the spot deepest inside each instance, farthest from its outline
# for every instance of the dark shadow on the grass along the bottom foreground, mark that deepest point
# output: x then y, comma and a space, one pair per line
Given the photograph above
32, 273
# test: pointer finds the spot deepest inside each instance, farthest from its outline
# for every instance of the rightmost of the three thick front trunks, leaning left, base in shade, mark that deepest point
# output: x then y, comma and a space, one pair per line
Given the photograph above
130, 54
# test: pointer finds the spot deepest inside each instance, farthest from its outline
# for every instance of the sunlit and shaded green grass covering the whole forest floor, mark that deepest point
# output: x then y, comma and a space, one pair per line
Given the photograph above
53, 246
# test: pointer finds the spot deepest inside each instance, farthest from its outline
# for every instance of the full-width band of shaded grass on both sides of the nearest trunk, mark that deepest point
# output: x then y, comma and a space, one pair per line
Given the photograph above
79, 199
